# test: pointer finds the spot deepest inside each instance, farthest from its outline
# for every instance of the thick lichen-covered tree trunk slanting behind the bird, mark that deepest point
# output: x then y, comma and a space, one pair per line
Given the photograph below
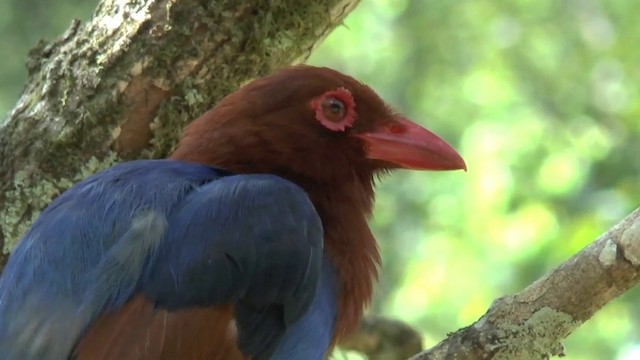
124, 84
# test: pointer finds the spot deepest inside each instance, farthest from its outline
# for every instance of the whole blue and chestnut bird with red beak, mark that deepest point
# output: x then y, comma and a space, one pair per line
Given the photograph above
250, 241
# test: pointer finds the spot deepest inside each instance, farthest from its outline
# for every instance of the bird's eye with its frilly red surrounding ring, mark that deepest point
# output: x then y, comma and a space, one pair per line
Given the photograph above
335, 109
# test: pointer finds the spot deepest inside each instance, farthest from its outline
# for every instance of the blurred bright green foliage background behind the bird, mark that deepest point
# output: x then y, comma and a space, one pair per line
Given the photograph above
542, 99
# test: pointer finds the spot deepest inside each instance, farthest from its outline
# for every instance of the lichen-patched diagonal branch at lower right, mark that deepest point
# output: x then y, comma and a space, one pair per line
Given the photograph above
531, 324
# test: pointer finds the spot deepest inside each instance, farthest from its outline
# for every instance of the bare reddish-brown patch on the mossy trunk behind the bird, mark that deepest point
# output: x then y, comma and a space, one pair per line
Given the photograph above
142, 100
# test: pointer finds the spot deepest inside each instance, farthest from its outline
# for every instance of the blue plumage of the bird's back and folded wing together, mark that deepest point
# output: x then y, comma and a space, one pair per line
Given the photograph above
183, 235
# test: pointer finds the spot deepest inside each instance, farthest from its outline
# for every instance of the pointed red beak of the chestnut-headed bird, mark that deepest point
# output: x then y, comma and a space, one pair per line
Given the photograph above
410, 146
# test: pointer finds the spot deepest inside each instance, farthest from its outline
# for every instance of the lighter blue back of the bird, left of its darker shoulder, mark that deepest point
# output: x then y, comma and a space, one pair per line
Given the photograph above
66, 266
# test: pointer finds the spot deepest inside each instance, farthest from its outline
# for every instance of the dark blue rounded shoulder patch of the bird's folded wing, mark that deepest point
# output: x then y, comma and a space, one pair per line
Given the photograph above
252, 240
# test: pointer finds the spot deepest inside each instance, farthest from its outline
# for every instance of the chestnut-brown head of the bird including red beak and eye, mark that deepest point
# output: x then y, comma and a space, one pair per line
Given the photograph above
312, 124
